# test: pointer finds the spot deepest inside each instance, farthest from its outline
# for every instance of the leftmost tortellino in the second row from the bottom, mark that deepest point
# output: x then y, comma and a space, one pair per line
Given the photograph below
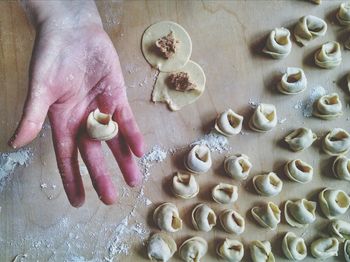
166, 217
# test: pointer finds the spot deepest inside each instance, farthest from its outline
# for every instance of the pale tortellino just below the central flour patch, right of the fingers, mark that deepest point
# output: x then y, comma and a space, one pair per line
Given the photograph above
198, 159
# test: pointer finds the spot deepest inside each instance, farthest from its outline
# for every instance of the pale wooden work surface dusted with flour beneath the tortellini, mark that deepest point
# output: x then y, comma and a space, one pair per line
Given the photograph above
227, 38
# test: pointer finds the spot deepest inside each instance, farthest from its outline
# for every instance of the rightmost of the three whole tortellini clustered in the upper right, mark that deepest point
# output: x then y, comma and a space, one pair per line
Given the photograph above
329, 55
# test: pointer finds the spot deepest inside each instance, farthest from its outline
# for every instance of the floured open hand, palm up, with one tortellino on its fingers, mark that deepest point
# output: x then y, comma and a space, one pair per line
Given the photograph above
74, 69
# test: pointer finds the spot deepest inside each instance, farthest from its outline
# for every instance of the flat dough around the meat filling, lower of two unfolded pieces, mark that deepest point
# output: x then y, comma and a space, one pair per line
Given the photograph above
163, 91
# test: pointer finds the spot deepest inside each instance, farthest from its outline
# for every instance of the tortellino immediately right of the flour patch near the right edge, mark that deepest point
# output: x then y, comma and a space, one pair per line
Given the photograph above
328, 107
